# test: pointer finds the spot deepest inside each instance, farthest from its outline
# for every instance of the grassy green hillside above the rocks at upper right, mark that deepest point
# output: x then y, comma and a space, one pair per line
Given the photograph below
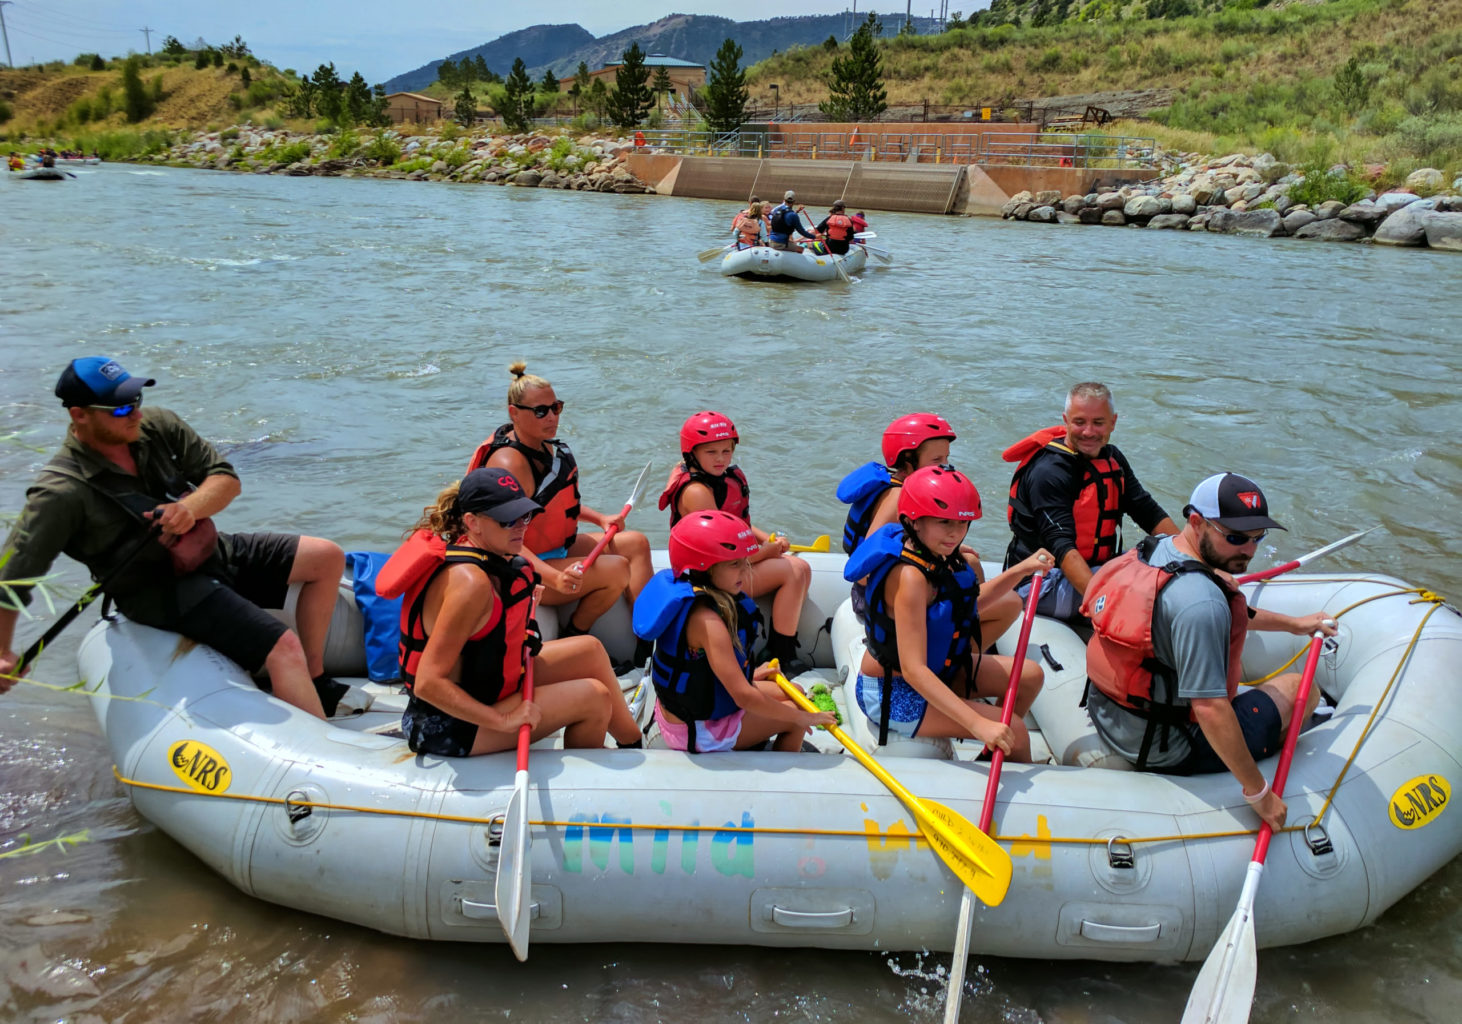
1363, 81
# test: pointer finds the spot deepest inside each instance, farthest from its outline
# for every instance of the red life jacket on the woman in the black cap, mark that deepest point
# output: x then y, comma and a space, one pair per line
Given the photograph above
495, 656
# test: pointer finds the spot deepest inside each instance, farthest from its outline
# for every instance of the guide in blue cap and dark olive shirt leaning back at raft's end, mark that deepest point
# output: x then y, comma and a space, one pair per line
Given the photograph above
124, 470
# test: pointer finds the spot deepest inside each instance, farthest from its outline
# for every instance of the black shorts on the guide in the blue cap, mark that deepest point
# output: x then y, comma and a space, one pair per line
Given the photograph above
226, 608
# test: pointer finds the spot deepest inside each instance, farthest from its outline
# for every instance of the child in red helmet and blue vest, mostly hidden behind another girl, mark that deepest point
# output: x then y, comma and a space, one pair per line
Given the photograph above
912, 443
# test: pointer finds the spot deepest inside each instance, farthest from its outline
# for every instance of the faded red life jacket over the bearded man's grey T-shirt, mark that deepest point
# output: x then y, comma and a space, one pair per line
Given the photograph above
1121, 656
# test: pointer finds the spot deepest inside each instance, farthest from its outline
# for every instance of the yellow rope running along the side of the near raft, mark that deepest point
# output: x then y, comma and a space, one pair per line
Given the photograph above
1422, 598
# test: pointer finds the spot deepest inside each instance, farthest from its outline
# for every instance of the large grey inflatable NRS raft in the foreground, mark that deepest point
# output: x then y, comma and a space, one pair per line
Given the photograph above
809, 849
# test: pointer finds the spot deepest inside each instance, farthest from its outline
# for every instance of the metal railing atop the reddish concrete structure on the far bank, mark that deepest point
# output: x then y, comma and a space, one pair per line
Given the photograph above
1011, 148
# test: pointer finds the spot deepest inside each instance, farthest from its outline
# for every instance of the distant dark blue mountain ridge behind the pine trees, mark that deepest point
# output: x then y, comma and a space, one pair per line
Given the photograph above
689, 37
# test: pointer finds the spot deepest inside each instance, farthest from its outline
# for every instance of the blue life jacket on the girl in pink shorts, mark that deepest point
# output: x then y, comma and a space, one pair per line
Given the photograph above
685, 682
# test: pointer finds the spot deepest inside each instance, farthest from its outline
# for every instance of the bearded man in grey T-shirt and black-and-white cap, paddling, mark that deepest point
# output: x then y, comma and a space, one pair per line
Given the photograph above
1169, 636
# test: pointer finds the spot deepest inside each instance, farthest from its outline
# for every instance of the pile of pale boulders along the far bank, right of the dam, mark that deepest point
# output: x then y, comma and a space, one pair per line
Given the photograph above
1251, 195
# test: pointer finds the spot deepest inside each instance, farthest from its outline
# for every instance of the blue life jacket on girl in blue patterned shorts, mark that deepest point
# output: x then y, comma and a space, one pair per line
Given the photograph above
954, 618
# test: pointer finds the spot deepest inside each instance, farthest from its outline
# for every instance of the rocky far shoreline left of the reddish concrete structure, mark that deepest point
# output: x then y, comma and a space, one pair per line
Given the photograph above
540, 162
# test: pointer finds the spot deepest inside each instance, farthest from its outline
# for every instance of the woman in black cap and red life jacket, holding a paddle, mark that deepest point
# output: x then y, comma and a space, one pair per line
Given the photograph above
467, 633
